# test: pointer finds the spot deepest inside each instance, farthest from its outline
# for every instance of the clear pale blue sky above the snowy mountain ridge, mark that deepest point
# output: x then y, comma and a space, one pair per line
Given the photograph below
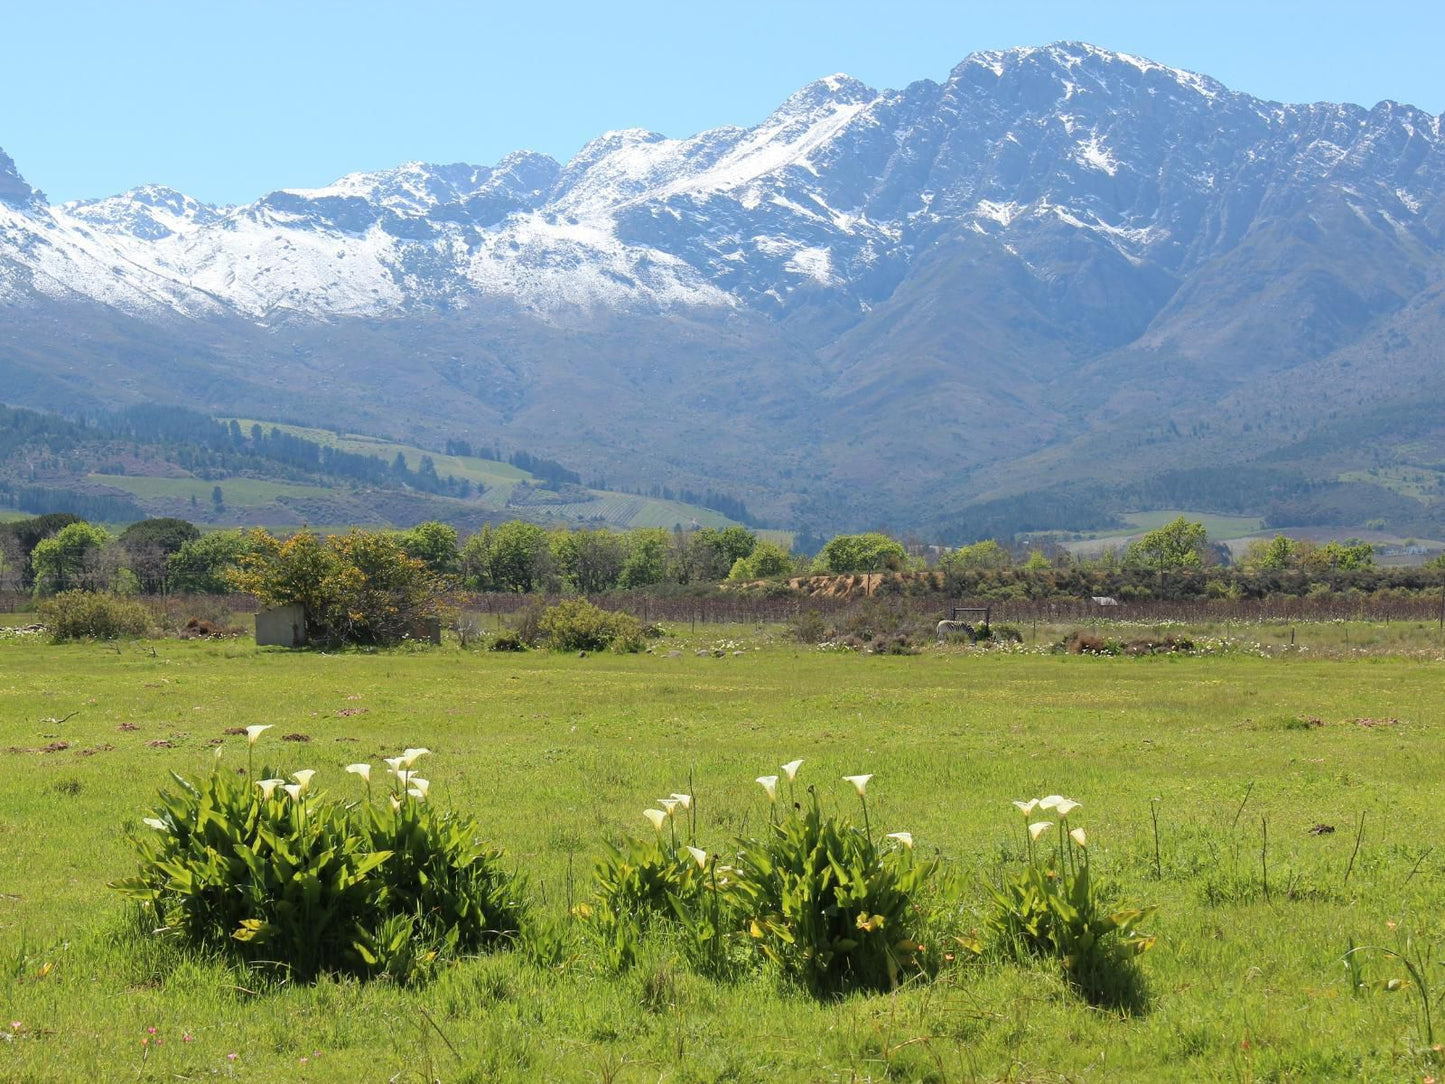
232, 100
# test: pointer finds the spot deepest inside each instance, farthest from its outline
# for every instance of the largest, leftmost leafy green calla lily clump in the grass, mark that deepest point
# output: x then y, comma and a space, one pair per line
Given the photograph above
316, 885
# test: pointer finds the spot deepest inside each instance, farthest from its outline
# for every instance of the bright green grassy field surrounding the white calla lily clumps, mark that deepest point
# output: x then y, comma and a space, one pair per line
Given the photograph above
556, 754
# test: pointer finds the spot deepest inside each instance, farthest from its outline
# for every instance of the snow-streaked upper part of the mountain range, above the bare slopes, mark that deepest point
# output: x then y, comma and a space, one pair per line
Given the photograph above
836, 190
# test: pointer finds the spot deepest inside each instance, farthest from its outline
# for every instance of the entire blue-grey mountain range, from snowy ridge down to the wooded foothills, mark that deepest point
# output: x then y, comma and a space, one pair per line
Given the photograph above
874, 307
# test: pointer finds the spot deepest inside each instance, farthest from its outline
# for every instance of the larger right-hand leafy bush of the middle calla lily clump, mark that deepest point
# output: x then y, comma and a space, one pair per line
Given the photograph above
829, 907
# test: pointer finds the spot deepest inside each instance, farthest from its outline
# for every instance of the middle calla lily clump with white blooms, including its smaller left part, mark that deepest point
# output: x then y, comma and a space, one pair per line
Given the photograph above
816, 895
